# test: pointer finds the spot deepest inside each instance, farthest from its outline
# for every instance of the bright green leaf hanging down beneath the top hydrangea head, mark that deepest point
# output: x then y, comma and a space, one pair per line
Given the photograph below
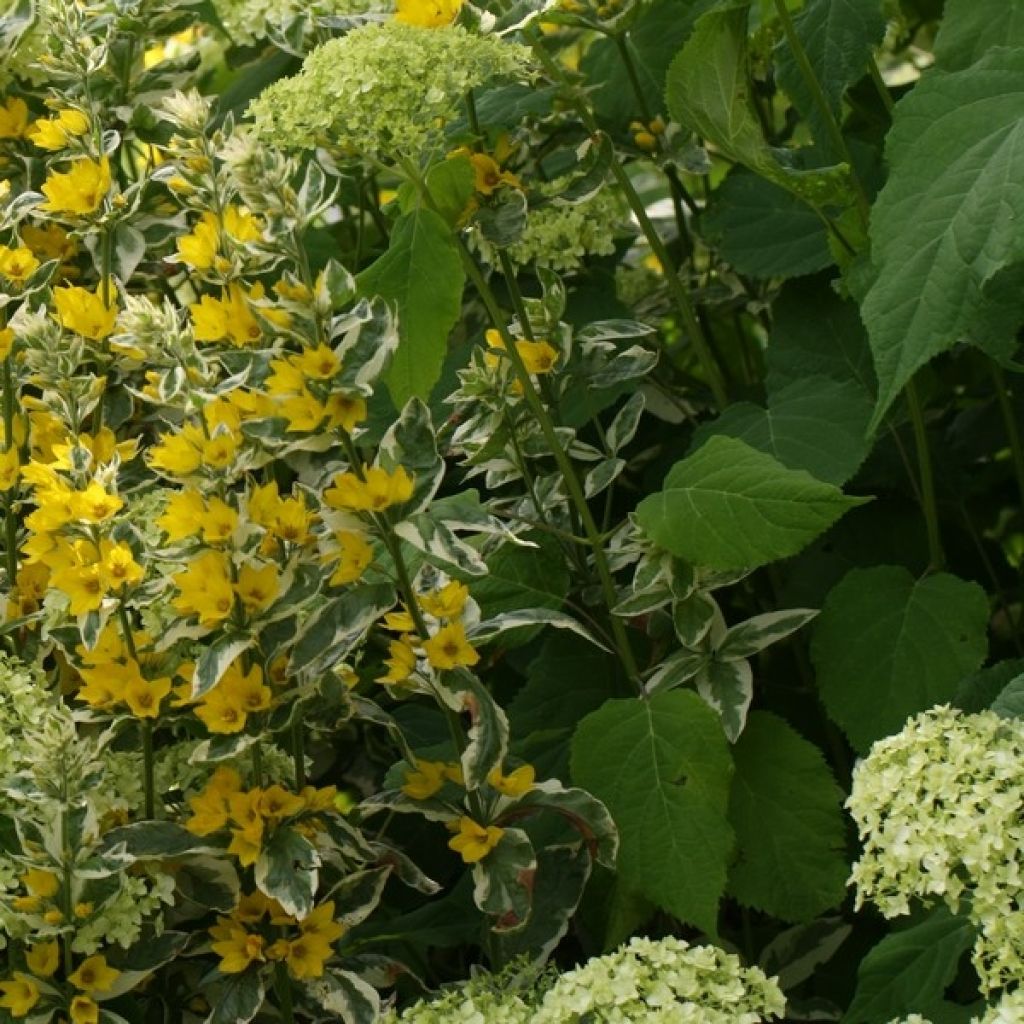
422, 275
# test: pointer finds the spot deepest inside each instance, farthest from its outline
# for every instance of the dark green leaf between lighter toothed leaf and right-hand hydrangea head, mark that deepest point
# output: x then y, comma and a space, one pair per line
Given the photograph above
791, 833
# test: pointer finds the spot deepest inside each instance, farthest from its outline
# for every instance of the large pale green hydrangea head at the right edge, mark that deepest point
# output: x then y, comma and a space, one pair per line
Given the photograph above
938, 807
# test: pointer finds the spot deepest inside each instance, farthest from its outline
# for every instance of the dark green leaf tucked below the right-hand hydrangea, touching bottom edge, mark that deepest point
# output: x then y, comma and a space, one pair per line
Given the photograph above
910, 970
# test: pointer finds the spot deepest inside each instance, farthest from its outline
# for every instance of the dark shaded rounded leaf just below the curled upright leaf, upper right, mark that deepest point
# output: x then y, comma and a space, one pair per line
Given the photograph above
764, 231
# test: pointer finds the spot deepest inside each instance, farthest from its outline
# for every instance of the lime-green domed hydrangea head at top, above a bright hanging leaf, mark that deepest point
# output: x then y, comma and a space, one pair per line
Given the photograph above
383, 91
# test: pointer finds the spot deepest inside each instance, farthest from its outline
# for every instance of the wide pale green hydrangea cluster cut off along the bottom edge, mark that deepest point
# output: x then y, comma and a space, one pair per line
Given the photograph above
648, 982
